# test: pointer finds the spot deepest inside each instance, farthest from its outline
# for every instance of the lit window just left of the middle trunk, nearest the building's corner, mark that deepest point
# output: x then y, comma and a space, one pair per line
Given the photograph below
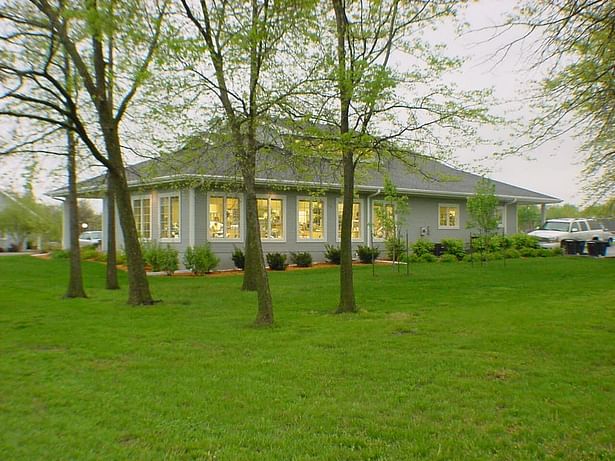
224, 217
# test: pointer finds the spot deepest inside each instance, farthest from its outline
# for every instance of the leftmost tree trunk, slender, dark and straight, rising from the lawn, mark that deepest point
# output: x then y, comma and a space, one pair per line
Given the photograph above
75, 280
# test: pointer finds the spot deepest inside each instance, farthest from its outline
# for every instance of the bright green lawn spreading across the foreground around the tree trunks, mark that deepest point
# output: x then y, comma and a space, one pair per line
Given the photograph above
513, 360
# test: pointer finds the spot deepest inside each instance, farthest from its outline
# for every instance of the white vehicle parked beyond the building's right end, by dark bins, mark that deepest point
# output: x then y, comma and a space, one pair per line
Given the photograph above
554, 231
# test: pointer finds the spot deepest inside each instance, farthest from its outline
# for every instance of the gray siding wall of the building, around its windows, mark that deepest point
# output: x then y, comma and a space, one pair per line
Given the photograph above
422, 220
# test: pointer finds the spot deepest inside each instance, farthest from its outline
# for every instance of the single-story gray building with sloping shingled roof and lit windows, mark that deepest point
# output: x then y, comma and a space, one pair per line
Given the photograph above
194, 197
